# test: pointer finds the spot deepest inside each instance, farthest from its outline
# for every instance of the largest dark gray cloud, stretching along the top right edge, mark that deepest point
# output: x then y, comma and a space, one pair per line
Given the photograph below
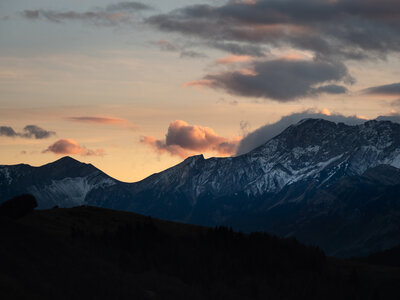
351, 29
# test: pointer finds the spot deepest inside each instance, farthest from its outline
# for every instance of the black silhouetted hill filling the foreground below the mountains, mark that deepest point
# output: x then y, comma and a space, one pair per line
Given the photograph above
95, 253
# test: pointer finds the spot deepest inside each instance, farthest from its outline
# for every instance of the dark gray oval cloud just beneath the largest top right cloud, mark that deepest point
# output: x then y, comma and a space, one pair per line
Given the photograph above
281, 80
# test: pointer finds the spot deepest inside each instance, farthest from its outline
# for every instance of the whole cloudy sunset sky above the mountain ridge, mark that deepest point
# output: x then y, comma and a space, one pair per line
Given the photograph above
136, 87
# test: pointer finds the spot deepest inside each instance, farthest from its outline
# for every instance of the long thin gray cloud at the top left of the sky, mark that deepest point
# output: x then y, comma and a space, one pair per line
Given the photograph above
109, 16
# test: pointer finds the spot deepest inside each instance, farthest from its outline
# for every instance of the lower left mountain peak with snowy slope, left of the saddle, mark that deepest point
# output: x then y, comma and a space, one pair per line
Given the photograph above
65, 182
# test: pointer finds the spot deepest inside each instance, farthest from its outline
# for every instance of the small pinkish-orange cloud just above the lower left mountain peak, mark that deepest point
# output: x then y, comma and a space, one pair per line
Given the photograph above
70, 147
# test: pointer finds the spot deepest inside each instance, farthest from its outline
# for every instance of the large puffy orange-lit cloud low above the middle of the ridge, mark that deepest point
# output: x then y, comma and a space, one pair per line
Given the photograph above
184, 140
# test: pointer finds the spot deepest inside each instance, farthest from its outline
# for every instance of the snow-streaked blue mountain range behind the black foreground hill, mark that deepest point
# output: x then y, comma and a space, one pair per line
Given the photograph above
332, 185
